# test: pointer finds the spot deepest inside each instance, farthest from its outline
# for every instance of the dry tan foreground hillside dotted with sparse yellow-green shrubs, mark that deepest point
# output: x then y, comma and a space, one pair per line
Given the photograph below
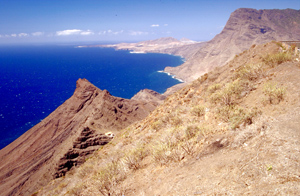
233, 131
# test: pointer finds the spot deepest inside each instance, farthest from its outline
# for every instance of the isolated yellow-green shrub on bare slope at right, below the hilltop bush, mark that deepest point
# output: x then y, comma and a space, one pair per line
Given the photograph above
274, 93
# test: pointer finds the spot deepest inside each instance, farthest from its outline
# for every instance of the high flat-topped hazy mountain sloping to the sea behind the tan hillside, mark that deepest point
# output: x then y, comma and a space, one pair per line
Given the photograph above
244, 28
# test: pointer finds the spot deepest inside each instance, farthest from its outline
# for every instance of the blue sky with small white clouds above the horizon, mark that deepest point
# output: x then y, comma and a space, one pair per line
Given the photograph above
39, 21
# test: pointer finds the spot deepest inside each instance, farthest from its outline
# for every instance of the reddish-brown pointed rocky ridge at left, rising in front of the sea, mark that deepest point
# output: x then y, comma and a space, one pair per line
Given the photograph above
65, 137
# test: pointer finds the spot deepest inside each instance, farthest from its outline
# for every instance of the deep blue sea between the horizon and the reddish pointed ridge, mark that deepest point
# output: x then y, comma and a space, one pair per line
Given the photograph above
35, 80
